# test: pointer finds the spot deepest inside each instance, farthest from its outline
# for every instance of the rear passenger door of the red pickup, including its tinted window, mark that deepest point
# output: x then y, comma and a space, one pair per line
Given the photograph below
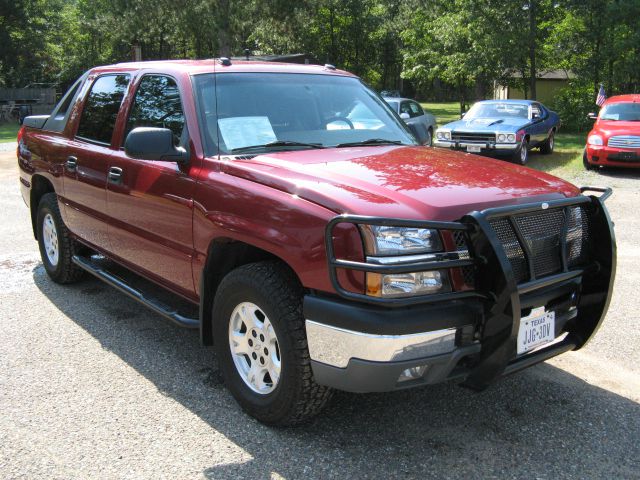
88, 157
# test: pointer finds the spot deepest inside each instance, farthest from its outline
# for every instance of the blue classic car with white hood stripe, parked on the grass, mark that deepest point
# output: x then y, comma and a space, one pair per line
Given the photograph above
503, 128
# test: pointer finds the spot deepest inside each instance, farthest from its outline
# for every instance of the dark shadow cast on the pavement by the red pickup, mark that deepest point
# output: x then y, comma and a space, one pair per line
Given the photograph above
541, 423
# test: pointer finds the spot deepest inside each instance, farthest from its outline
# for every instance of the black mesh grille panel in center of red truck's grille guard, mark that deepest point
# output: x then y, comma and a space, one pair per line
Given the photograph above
533, 242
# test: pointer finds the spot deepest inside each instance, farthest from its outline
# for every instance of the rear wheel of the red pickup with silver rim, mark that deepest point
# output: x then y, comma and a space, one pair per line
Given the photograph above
56, 245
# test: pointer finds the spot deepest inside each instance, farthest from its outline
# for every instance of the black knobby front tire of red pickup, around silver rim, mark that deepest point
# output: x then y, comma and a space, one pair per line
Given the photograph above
274, 289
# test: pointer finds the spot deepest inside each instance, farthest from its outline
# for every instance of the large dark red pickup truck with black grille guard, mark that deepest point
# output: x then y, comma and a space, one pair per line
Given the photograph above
323, 247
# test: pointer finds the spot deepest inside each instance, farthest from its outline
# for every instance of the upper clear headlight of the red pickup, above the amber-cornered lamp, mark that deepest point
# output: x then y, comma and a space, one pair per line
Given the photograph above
385, 241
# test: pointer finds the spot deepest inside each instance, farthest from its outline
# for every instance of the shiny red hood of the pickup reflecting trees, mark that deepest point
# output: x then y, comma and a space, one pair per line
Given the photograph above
399, 181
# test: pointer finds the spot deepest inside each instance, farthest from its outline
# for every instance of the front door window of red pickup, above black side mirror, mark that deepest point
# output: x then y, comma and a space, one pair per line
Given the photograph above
157, 104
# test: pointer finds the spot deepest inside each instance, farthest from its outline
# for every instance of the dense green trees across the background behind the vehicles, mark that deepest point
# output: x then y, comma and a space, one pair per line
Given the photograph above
418, 46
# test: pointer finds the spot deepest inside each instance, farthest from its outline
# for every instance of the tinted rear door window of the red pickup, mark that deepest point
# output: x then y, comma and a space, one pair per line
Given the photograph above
101, 108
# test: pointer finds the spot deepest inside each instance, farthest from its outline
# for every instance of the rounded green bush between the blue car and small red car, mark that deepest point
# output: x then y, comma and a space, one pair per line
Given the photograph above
573, 103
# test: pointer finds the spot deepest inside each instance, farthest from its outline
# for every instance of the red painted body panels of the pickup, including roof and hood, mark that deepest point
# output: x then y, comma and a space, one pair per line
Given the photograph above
162, 218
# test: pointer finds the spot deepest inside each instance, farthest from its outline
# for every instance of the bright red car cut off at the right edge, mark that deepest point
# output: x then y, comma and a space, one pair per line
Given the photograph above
614, 139
